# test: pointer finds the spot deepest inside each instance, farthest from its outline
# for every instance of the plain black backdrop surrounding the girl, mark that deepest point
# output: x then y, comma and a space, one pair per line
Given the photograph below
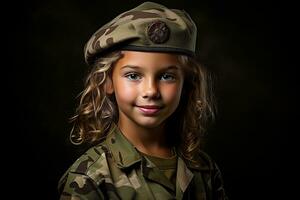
239, 41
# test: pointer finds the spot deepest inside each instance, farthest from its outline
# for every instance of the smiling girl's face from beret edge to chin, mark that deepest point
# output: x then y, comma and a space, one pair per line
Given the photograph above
147, 87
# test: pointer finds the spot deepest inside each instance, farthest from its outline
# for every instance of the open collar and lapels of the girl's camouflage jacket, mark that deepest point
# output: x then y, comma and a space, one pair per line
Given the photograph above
126, 155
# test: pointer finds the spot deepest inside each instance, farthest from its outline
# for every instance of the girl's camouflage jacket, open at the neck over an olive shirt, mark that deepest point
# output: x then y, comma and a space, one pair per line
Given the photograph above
114, 169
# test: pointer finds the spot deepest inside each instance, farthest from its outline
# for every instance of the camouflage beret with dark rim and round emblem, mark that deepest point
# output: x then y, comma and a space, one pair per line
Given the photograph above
147, 27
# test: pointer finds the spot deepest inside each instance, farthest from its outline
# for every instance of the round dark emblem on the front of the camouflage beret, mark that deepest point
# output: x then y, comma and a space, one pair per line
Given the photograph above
158, 32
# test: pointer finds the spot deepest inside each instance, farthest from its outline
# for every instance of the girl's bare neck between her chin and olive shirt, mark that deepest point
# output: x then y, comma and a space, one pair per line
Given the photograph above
151, 141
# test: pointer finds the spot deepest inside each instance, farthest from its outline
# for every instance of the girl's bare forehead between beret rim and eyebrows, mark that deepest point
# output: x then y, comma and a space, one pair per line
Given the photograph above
151, 59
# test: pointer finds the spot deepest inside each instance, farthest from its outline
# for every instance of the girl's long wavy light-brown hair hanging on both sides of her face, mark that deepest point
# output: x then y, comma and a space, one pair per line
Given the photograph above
97, 110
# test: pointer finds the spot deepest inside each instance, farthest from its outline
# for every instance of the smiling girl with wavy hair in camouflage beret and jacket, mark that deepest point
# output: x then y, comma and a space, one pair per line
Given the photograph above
144, 110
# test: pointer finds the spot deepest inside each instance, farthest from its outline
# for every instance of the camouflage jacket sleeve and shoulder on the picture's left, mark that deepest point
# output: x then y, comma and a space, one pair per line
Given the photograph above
78, 186
